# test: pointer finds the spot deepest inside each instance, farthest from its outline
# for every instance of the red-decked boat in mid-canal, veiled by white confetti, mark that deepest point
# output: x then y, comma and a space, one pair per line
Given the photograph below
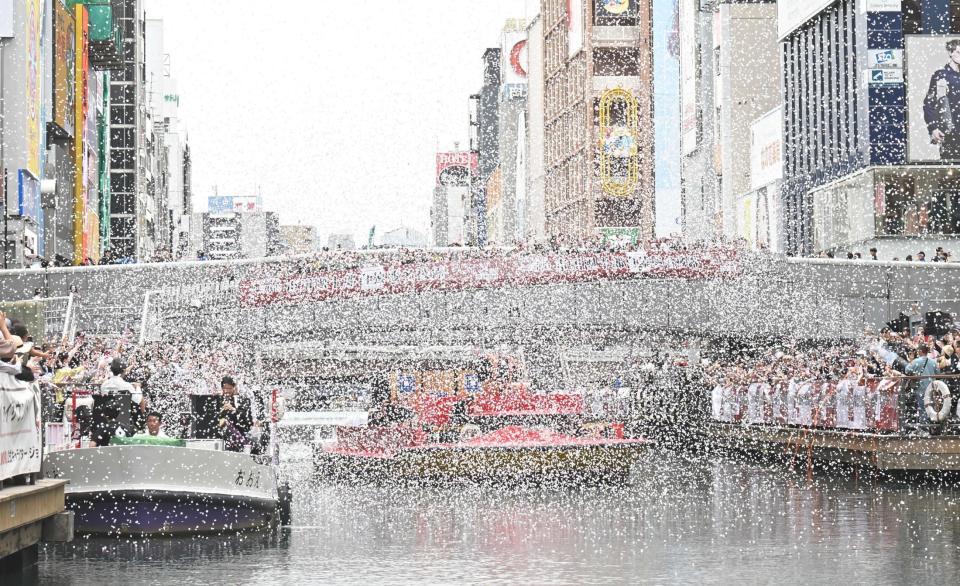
510, 434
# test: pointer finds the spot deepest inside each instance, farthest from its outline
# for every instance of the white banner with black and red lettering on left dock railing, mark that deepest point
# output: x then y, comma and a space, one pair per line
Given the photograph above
20, 450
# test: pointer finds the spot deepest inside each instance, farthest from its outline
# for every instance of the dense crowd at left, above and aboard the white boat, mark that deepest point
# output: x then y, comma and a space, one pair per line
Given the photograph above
119, 388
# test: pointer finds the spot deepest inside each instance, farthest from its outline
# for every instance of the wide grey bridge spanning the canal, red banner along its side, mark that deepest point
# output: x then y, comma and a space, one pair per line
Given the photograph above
587, 299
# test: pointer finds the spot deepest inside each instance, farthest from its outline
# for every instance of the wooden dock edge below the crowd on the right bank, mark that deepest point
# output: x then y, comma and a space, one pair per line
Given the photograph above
885, 452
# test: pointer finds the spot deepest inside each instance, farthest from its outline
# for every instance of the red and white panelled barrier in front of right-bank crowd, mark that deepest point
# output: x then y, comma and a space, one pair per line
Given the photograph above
865, 405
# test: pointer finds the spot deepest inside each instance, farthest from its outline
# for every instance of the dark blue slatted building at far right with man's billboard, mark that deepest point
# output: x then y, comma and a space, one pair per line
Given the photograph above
870, 139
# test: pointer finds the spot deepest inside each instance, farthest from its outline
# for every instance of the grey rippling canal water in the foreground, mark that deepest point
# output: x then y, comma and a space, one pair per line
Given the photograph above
682, 520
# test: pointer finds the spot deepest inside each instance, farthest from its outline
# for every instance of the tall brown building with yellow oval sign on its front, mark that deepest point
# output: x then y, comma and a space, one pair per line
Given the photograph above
598, 116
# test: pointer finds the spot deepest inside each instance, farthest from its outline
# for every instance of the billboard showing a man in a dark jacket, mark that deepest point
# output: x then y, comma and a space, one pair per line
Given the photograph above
933, 98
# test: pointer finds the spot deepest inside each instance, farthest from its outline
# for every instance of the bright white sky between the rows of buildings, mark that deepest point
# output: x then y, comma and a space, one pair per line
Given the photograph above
333, 108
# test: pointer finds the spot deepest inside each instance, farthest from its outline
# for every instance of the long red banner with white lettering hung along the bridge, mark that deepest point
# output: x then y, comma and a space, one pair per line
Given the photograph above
481, 273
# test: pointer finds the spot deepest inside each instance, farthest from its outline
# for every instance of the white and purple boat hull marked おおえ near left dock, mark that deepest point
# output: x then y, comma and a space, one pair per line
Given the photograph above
150, 490
